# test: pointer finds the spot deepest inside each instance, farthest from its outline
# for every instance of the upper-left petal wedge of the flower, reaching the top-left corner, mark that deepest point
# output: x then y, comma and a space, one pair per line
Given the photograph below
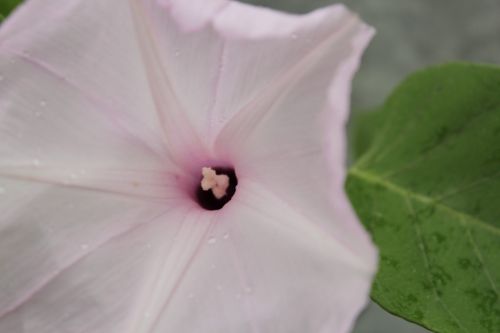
91, 46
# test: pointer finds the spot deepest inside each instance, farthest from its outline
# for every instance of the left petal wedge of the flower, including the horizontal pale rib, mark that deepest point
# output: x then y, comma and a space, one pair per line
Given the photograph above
50, 133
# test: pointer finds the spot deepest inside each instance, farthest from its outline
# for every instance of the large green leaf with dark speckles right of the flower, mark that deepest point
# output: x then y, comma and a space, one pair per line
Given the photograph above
428, 190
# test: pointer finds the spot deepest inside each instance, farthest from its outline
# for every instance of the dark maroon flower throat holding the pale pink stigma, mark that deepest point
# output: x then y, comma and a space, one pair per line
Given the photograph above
216, 188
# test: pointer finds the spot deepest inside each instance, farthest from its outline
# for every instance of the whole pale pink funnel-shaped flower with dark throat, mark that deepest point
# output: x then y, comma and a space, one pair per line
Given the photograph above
118, 119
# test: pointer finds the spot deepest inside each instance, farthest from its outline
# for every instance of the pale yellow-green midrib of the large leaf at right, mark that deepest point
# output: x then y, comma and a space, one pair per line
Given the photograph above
373, 178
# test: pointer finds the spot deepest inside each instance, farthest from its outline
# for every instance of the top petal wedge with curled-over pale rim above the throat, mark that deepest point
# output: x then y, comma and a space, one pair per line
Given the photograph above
222, 55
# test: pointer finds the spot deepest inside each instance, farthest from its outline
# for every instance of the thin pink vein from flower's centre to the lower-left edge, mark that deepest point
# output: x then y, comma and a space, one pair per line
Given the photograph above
75, 261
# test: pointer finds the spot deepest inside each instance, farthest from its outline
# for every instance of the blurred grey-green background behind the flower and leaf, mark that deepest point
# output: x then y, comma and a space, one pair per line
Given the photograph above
412, 34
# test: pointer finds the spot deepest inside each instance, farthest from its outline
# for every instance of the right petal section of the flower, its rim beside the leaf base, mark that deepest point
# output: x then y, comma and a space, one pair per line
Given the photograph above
290, 134
